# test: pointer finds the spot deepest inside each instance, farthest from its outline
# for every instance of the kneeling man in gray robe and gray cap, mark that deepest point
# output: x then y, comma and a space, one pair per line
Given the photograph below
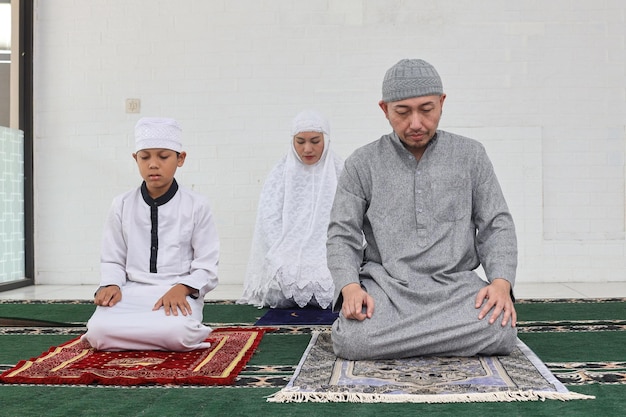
431, 210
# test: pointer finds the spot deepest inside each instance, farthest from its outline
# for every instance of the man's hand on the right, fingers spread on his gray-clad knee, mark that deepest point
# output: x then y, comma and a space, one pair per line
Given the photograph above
498, 297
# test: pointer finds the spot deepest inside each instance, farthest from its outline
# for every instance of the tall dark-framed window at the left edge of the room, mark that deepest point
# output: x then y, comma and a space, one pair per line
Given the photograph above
16, 144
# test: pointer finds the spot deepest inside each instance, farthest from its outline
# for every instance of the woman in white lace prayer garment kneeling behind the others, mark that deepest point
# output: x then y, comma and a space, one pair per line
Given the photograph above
287, 265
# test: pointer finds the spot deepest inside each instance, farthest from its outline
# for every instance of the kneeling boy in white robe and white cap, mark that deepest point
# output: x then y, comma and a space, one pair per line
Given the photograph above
159, 255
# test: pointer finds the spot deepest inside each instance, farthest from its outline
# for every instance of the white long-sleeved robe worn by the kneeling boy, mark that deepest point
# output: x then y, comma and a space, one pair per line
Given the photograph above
187, 253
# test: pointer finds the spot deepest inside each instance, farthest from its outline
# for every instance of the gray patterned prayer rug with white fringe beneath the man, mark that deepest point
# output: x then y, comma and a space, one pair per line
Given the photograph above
322, 377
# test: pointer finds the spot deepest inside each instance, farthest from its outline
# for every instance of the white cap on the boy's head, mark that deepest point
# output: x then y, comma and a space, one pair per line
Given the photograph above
158, 133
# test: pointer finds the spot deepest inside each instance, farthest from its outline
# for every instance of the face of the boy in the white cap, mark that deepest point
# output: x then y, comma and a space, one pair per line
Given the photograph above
157, 167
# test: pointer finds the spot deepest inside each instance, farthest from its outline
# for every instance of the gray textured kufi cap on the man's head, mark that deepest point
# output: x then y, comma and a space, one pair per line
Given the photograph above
411, 78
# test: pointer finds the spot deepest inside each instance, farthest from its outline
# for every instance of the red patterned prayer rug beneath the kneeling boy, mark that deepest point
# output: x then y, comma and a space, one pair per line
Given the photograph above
75, 362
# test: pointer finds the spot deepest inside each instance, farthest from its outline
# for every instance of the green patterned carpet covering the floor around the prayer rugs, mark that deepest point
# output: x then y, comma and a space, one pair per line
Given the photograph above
551, 330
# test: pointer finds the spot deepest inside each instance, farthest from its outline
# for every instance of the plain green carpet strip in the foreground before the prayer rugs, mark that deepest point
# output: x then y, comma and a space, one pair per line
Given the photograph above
79, 401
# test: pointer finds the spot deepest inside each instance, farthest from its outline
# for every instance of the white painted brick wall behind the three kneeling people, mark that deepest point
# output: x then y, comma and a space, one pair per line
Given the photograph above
541, 84
